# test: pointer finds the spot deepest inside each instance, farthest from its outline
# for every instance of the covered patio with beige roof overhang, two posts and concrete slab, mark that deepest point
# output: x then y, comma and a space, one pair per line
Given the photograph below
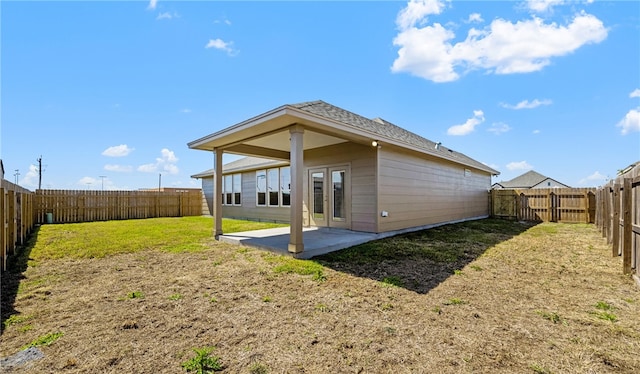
287, 133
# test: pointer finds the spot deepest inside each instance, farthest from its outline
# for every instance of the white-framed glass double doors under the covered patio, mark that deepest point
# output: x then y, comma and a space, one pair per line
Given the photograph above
330, 197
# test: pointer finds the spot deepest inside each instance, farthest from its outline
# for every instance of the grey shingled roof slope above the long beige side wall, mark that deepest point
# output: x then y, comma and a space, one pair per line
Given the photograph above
386, 129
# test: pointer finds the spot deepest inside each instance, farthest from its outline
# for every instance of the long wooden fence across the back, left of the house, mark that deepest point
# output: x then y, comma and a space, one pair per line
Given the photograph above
66, 206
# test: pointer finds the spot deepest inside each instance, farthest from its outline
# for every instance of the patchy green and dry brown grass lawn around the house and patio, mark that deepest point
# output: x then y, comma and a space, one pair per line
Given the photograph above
160, 295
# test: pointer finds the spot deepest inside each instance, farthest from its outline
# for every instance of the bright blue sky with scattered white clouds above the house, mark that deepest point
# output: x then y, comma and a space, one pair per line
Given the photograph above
110, 93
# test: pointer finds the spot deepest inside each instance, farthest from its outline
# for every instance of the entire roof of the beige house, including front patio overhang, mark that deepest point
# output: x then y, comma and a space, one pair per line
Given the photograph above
321, 115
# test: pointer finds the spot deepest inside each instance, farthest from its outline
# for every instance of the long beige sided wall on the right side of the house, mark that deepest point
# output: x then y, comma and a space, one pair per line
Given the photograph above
418, 191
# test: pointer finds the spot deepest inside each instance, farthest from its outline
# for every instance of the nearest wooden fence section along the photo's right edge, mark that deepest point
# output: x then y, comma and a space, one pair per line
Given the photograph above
618, 218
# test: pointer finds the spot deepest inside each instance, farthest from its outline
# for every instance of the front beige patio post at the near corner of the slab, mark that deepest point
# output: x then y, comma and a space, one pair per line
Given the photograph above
296, 244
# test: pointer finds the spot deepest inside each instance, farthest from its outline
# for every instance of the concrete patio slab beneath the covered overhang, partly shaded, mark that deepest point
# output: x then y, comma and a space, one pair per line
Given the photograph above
317, 240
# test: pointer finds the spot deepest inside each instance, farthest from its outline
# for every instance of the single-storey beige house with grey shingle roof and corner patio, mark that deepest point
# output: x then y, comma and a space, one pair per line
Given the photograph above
329, 167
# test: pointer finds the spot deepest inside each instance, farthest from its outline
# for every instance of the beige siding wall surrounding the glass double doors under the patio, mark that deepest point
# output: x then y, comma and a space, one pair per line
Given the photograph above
361, 160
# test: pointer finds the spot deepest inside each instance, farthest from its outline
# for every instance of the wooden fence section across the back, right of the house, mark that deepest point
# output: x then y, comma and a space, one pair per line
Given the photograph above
570, 205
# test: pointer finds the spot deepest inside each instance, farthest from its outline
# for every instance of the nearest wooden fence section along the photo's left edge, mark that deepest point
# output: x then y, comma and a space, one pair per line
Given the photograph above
16, 218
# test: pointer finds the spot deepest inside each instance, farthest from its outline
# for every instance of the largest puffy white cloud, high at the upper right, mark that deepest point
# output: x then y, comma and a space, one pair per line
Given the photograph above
503, 47
